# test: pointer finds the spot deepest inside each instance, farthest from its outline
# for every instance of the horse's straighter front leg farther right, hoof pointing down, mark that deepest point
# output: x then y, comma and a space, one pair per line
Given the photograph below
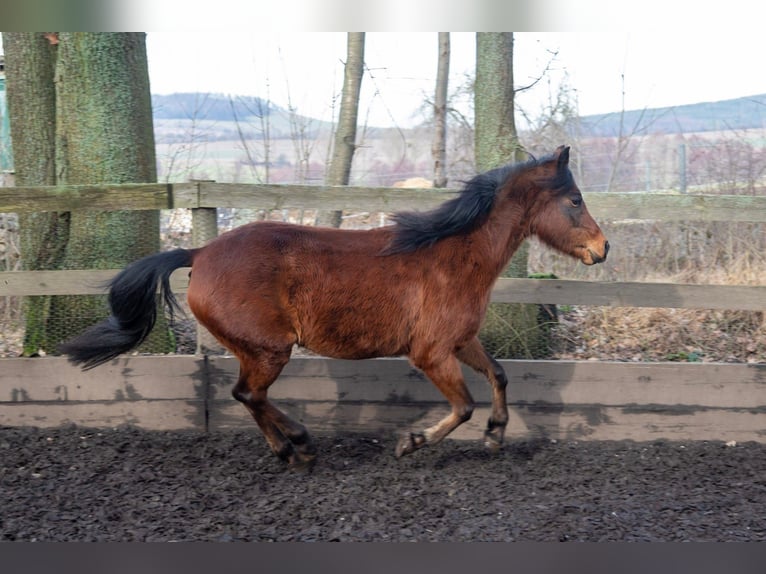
475, 356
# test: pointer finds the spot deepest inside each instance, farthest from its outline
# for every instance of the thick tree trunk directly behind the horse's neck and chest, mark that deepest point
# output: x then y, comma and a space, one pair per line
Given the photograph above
510, 330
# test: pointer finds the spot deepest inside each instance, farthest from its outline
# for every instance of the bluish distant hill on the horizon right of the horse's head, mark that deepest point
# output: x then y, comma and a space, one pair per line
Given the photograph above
740, 113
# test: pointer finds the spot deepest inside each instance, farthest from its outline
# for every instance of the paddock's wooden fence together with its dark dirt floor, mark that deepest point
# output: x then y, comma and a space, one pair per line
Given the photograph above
153, 448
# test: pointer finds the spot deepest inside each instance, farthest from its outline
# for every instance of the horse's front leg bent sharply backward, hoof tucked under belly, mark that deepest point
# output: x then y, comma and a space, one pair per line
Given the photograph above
448, 378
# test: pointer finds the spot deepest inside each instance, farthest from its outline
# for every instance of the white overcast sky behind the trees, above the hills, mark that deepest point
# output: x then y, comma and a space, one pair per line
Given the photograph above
605, 71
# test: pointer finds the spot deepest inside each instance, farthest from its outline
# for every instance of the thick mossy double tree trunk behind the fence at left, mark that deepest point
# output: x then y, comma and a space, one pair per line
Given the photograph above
101, 119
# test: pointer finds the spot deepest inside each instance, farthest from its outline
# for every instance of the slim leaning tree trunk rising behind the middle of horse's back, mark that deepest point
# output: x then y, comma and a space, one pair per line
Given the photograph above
344, 144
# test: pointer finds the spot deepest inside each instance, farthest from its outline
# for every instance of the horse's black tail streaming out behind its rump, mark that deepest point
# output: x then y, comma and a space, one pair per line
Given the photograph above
133, 303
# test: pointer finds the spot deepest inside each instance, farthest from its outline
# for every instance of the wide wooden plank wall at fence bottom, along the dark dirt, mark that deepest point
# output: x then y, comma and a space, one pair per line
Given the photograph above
579, 400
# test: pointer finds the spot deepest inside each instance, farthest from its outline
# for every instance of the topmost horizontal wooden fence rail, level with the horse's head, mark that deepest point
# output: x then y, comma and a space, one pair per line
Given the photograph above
607, 205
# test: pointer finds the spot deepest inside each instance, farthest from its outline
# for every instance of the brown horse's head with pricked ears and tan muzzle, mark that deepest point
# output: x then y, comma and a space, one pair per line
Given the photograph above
558, 215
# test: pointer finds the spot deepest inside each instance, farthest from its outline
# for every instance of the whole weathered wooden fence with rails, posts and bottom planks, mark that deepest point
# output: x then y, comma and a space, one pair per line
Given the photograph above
558, 399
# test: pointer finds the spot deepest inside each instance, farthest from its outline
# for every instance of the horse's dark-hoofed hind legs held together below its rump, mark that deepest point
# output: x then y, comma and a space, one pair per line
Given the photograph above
289, 439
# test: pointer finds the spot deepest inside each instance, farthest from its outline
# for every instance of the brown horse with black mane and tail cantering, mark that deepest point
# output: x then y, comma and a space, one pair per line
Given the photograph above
419, 288
